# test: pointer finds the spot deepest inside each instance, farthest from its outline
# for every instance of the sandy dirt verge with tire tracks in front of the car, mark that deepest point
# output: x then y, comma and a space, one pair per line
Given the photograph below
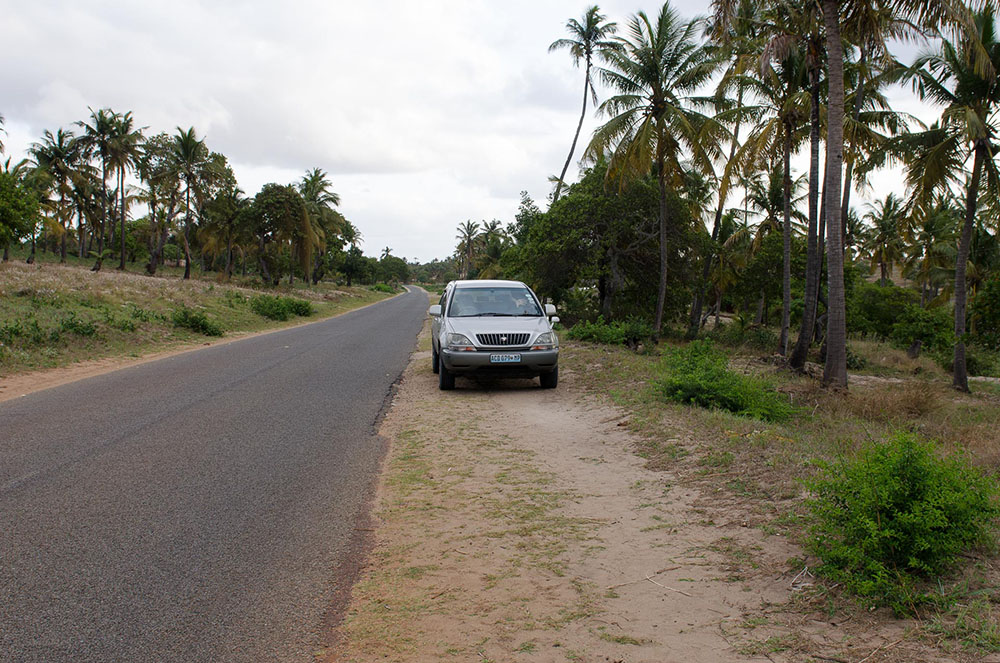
518, 524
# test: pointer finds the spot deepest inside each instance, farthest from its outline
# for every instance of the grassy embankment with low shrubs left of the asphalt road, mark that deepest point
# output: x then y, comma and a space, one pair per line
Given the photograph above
53, 315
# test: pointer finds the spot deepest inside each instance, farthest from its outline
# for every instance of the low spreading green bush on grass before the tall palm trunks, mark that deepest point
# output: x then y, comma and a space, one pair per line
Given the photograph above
698, 375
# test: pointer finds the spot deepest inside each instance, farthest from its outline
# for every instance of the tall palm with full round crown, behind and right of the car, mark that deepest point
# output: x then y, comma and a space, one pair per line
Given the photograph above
653, 123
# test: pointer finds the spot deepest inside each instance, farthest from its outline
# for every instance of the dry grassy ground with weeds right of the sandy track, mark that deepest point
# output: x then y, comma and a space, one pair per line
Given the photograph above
758, 468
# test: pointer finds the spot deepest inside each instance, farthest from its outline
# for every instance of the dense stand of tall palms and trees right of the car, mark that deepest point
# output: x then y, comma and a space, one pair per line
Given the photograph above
701, 120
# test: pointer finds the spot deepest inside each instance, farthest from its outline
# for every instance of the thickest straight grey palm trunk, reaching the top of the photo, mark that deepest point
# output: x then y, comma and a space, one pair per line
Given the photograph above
835, 370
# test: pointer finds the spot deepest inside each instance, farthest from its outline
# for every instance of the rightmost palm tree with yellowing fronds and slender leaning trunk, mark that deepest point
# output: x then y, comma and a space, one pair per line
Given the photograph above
953, 77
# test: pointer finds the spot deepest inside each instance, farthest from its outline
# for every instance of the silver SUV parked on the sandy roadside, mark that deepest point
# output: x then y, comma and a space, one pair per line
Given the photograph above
493, 328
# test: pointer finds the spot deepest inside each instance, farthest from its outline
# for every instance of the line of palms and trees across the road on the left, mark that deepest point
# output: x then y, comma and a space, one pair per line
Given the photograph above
75, 195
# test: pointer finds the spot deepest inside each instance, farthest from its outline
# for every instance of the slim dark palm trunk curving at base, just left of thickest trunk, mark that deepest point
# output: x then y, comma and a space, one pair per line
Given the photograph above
807, 329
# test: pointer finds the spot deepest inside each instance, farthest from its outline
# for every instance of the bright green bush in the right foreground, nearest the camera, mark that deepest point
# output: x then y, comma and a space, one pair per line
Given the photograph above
897, 514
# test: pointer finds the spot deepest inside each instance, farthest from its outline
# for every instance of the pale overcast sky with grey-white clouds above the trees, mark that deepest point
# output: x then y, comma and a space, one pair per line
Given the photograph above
424, 114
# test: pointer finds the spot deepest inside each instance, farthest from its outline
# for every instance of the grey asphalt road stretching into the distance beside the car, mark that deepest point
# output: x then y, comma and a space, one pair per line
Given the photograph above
203, 507
